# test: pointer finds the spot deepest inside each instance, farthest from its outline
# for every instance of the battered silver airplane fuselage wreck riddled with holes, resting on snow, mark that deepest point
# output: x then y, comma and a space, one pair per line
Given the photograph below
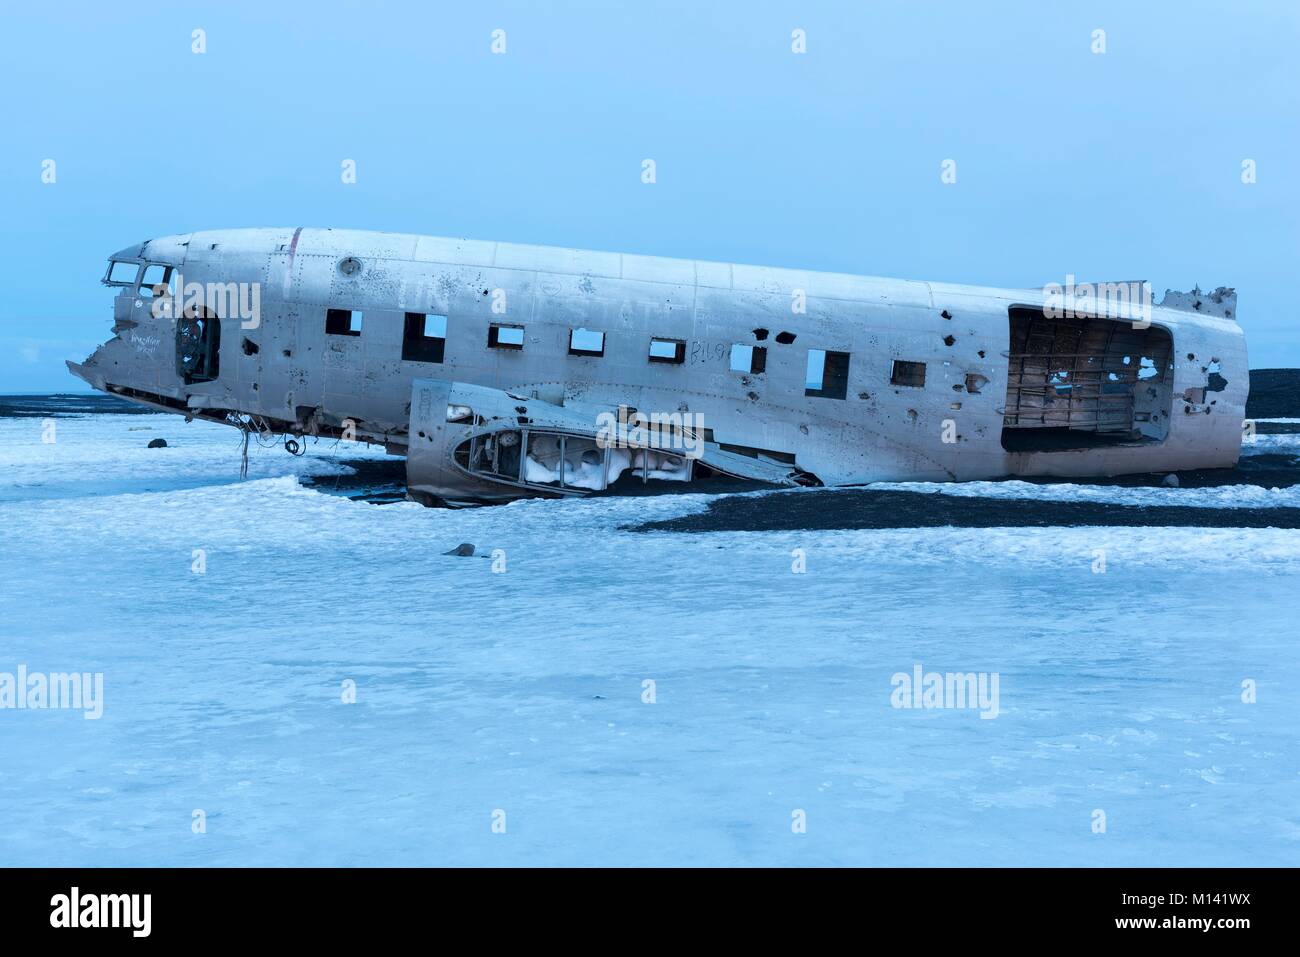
505, 371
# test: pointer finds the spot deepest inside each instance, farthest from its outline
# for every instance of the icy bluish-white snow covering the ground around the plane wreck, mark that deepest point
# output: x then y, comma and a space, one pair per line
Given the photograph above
522, 691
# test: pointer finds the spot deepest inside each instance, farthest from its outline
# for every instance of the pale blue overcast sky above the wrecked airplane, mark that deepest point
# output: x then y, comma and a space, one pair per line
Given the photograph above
1115, 167
